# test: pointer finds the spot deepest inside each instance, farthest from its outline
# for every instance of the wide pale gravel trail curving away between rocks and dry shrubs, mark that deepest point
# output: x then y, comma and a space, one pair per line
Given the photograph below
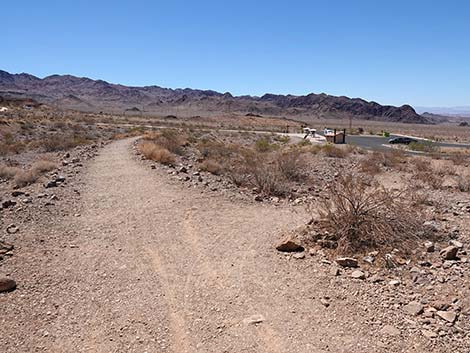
156, 267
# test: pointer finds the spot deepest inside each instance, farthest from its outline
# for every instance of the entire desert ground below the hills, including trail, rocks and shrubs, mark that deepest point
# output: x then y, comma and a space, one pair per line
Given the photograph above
132, 234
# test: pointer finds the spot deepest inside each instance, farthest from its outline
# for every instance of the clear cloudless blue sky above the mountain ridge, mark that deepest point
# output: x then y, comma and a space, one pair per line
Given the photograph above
390, 51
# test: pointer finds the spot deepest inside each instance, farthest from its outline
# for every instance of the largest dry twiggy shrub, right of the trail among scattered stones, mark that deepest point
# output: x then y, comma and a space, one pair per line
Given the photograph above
360, 217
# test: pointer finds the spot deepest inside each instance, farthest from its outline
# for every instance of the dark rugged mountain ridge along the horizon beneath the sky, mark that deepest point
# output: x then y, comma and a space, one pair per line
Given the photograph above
80, 93
